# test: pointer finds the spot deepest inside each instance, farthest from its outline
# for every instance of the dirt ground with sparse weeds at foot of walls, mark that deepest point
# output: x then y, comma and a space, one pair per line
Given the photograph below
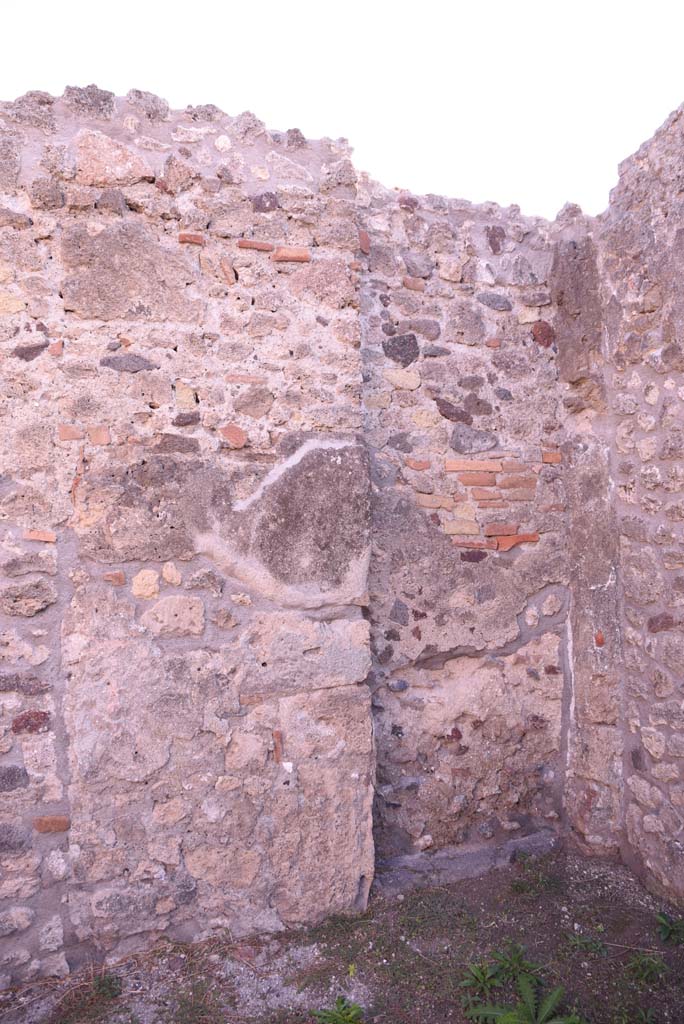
585, 925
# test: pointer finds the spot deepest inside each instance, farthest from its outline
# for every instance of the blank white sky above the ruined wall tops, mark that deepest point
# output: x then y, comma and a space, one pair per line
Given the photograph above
511, 101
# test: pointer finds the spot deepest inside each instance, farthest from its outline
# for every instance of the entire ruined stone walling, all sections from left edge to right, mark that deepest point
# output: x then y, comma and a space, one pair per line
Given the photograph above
318, 496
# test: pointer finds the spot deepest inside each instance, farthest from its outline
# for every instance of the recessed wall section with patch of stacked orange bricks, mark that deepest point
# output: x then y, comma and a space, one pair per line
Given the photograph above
469, 594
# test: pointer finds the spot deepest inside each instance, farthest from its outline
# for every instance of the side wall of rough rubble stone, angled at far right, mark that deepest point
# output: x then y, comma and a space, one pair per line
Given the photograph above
642, 240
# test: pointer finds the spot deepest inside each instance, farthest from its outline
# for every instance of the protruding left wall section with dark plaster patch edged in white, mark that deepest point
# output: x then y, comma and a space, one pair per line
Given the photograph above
185, 513
